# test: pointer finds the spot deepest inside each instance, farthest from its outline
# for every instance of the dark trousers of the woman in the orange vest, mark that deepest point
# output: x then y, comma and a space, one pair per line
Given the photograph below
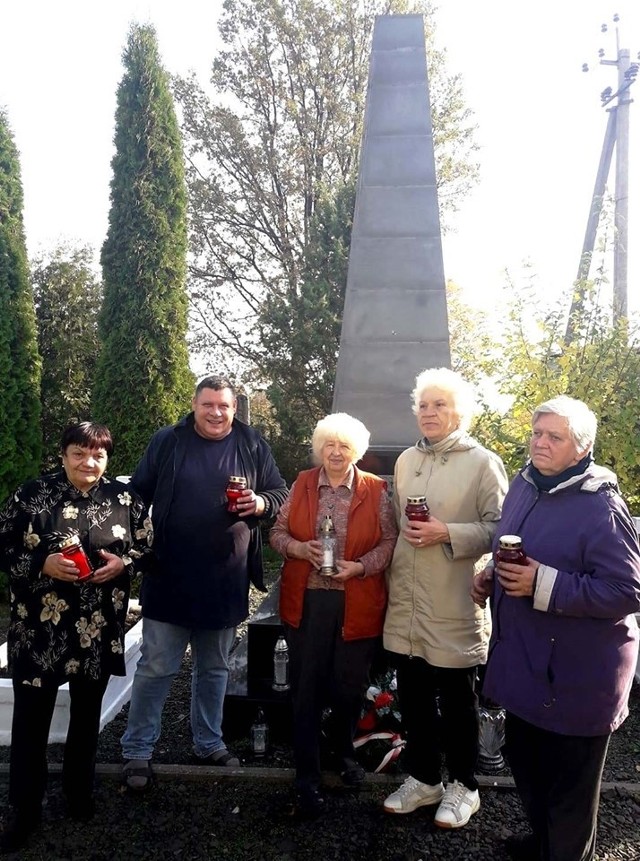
325, 671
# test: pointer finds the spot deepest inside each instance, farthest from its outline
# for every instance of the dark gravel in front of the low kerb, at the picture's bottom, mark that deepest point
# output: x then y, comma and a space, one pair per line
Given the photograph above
244, 820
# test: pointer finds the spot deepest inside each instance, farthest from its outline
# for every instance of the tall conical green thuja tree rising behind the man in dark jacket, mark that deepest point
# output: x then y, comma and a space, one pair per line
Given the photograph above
143, 379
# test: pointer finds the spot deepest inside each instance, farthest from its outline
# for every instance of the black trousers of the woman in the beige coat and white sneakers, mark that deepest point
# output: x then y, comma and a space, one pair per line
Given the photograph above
439, 716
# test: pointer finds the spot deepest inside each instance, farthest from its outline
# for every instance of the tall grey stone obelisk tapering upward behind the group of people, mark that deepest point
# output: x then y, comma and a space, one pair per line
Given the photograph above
395, 314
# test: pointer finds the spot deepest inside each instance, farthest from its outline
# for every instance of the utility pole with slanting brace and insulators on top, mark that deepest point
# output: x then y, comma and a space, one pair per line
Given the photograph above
616, 137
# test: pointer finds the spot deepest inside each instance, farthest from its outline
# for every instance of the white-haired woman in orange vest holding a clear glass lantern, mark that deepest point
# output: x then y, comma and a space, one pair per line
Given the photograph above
332, 620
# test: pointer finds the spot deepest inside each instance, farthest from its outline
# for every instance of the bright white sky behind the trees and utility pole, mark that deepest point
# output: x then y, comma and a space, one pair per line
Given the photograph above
539, 117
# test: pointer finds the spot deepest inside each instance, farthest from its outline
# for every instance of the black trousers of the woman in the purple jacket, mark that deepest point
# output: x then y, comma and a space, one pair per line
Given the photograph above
558, 778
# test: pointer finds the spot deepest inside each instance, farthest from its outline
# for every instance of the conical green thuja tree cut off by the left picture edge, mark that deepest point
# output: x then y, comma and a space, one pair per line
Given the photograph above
20, 438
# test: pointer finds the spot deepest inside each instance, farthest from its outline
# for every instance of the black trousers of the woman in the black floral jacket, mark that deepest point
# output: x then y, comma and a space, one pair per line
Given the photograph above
32, 713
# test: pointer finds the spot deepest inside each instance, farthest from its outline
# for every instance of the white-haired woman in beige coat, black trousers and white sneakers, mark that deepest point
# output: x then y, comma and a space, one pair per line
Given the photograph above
435, 633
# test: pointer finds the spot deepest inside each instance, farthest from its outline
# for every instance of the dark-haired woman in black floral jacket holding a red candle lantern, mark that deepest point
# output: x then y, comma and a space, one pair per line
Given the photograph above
64, 629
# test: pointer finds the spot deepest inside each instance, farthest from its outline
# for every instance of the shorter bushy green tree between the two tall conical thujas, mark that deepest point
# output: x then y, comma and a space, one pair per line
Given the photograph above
67, 296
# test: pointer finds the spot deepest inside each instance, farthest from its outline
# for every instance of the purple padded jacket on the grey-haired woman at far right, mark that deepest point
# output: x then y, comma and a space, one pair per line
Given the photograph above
564, 659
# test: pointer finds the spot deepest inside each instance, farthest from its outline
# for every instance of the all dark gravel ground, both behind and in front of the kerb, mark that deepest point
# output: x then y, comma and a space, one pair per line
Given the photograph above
246, 817
